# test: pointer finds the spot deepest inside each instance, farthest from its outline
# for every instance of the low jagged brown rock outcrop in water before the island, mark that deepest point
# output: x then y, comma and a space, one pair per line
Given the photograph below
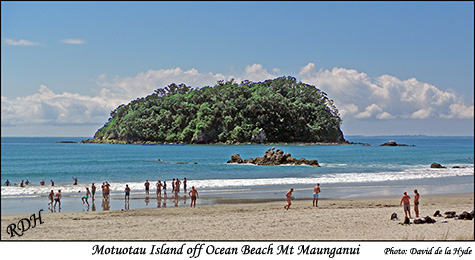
272, 157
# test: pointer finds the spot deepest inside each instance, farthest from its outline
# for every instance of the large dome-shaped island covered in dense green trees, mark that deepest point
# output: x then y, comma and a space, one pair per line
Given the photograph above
281, 110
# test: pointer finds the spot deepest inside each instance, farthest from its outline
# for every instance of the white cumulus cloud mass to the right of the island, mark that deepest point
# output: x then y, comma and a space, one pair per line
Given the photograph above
385, 97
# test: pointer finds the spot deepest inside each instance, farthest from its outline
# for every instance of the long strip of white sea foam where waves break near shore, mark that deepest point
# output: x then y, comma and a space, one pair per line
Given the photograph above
329, 178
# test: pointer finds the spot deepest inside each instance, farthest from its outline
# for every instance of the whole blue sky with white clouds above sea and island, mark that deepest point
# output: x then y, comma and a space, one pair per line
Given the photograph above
392, 68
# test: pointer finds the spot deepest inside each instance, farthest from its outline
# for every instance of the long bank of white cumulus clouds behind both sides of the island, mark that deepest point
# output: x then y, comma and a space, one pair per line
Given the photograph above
356, 95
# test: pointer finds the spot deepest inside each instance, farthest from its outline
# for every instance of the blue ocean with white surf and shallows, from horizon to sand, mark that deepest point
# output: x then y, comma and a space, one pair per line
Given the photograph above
347, 171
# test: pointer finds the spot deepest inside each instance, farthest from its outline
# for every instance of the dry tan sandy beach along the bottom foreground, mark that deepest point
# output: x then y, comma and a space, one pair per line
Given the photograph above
360, 219
